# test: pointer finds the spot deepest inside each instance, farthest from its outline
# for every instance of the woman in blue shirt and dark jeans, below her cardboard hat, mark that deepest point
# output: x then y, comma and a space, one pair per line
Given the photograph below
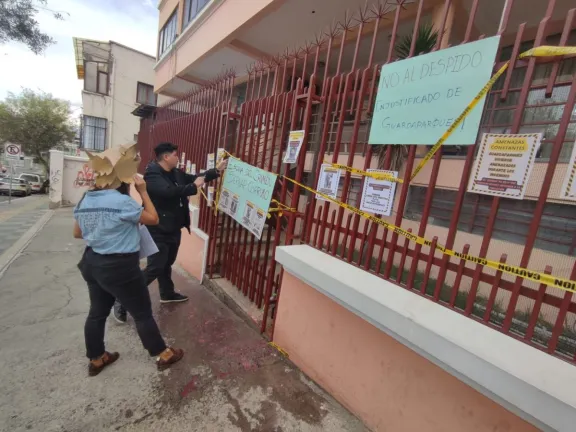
108, 221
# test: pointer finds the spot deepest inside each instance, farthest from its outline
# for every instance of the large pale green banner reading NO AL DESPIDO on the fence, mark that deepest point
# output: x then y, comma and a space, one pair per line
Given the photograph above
420, 97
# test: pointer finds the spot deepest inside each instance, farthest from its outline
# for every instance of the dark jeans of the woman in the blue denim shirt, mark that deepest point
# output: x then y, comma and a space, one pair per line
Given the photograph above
117, 276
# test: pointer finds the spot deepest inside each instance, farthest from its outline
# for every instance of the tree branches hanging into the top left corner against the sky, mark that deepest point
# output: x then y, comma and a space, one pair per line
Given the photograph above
17, 23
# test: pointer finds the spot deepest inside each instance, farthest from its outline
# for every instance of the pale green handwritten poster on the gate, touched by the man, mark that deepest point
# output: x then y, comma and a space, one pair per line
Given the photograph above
246, 194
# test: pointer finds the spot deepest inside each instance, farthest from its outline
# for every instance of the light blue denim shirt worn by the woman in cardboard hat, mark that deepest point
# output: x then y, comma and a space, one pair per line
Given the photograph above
109, 222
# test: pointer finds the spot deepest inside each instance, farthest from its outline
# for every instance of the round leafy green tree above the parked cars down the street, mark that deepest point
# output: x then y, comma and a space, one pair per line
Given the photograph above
37, 121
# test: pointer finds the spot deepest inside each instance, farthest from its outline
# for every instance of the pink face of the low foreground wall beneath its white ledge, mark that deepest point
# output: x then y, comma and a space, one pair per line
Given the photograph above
387, 385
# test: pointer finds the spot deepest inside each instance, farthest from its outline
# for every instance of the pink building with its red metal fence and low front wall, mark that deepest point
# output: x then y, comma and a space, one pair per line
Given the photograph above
403, 335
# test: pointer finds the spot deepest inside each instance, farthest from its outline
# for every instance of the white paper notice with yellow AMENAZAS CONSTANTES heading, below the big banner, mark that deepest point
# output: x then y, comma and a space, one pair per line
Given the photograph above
504, 164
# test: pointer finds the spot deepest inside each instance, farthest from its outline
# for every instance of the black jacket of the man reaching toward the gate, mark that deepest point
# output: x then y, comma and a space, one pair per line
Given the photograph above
171, 197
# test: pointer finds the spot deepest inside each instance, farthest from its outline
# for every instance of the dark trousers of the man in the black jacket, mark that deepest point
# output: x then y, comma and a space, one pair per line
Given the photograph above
159, 265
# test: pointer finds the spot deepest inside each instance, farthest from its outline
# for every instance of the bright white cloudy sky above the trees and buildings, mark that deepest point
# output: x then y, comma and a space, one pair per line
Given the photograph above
133, 23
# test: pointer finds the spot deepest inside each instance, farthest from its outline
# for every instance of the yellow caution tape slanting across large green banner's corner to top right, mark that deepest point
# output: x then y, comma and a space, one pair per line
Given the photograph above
542, 51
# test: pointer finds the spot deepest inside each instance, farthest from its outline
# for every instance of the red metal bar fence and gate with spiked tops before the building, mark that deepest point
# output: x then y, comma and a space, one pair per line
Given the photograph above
327, 88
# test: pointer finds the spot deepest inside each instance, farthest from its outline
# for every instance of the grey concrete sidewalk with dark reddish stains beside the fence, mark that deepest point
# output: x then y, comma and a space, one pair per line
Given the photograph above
229, 380
